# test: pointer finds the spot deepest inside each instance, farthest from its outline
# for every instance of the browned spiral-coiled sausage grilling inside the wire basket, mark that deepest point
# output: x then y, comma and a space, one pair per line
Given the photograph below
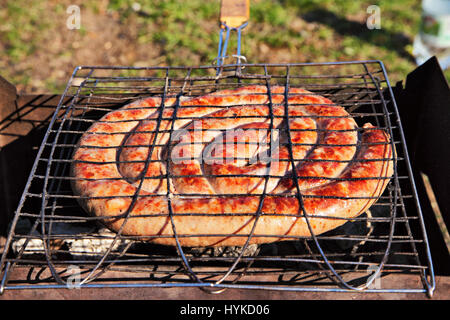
216, 159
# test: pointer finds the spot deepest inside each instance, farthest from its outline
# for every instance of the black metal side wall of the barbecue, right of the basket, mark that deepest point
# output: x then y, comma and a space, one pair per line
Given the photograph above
424, 106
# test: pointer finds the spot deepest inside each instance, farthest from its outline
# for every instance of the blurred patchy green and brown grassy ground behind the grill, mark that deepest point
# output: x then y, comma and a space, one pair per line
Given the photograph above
39, 51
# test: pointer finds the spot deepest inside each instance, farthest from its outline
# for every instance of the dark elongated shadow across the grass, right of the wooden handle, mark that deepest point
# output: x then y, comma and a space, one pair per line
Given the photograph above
380, 37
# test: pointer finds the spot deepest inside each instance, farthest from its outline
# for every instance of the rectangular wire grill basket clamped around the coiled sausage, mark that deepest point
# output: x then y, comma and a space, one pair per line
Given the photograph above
53, 237
